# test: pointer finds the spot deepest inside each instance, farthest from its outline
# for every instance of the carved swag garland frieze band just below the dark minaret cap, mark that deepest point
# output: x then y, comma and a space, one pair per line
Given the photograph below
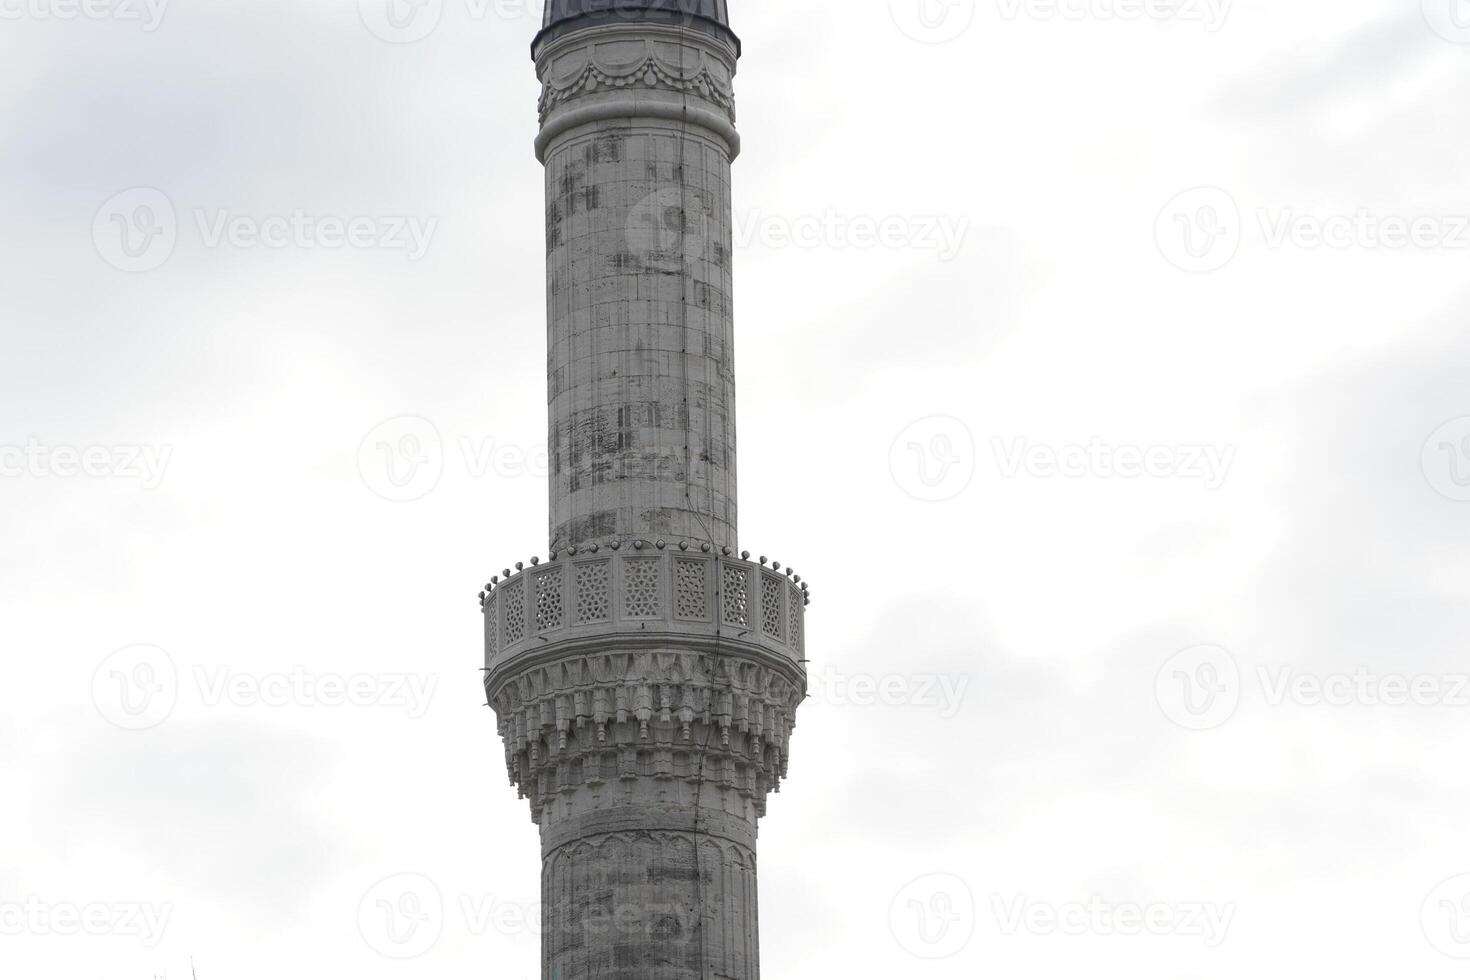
637, 64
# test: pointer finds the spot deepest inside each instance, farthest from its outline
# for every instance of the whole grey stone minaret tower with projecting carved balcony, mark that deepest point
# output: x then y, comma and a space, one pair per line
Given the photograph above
648, 675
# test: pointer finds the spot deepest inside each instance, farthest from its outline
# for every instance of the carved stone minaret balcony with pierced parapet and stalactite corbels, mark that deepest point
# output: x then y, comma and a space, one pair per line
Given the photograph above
637, 662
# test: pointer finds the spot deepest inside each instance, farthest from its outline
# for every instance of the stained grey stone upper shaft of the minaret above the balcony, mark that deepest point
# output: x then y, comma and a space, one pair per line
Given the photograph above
637, 142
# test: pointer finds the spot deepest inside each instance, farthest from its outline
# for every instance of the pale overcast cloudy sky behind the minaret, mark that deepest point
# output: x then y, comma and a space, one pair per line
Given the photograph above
1102, 365
